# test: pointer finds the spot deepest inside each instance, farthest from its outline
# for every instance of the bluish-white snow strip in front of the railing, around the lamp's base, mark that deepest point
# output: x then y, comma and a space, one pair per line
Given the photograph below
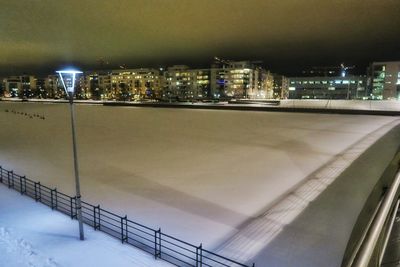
33, 235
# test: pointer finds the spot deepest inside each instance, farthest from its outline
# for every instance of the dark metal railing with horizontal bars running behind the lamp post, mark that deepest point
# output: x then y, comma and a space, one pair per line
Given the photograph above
154, 241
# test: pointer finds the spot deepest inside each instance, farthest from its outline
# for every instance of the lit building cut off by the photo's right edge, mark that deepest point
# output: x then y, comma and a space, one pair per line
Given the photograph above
384, 80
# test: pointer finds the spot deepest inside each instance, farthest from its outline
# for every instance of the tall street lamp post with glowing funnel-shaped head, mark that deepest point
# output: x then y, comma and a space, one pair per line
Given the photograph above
68, 82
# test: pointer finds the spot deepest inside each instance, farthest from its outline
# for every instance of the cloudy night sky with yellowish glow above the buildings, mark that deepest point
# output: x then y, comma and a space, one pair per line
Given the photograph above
38, 36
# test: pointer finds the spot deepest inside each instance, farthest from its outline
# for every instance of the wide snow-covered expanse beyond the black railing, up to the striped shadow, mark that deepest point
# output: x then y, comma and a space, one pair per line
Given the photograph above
201, 175
